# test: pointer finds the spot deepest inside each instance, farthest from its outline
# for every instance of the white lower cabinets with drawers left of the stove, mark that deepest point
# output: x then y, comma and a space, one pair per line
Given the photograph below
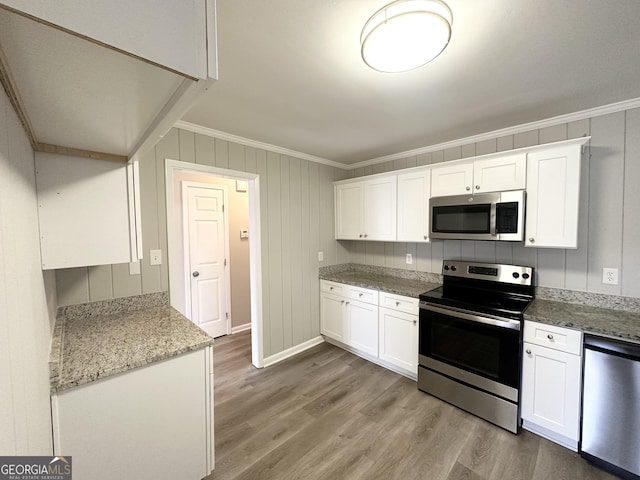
380, 325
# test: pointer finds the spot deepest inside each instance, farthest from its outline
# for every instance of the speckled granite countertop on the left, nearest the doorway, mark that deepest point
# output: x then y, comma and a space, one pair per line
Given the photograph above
88, 348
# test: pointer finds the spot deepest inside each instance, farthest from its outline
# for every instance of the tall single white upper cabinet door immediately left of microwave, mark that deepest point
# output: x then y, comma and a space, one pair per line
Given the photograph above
414, 190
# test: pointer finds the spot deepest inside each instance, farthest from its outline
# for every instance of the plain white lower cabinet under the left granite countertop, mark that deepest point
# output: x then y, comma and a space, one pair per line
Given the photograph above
153, 422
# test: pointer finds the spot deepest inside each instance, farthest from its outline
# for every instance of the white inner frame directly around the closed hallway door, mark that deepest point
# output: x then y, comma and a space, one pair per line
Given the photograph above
184, 185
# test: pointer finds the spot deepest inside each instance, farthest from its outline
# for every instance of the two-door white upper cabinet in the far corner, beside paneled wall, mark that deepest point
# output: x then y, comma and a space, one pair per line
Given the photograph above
366, 210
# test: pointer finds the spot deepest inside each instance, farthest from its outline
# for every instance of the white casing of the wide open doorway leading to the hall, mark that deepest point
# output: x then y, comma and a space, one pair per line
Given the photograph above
175, 251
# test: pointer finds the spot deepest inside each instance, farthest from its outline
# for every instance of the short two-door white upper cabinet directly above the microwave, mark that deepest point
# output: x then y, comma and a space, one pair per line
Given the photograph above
494, 174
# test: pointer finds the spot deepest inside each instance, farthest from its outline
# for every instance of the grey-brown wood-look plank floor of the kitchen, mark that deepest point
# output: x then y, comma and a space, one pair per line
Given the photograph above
327, 414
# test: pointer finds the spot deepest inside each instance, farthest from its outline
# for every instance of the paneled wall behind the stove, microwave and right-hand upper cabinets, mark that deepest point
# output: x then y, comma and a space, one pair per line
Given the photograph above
609, 225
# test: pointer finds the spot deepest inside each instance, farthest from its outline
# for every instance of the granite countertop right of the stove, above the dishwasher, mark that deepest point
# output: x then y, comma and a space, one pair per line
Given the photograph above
616, 324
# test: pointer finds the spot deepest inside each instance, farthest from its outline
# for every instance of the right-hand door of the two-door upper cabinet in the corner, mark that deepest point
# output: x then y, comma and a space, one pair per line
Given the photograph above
379, 208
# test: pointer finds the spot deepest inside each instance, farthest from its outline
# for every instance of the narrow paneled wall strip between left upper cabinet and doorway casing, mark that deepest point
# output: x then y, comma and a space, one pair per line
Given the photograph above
150, 274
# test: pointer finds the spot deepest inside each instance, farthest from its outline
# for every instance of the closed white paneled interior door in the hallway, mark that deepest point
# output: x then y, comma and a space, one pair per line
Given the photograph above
206, 257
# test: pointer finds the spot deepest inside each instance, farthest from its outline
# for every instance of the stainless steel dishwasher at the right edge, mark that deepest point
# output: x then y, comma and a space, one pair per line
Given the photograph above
611, 405
